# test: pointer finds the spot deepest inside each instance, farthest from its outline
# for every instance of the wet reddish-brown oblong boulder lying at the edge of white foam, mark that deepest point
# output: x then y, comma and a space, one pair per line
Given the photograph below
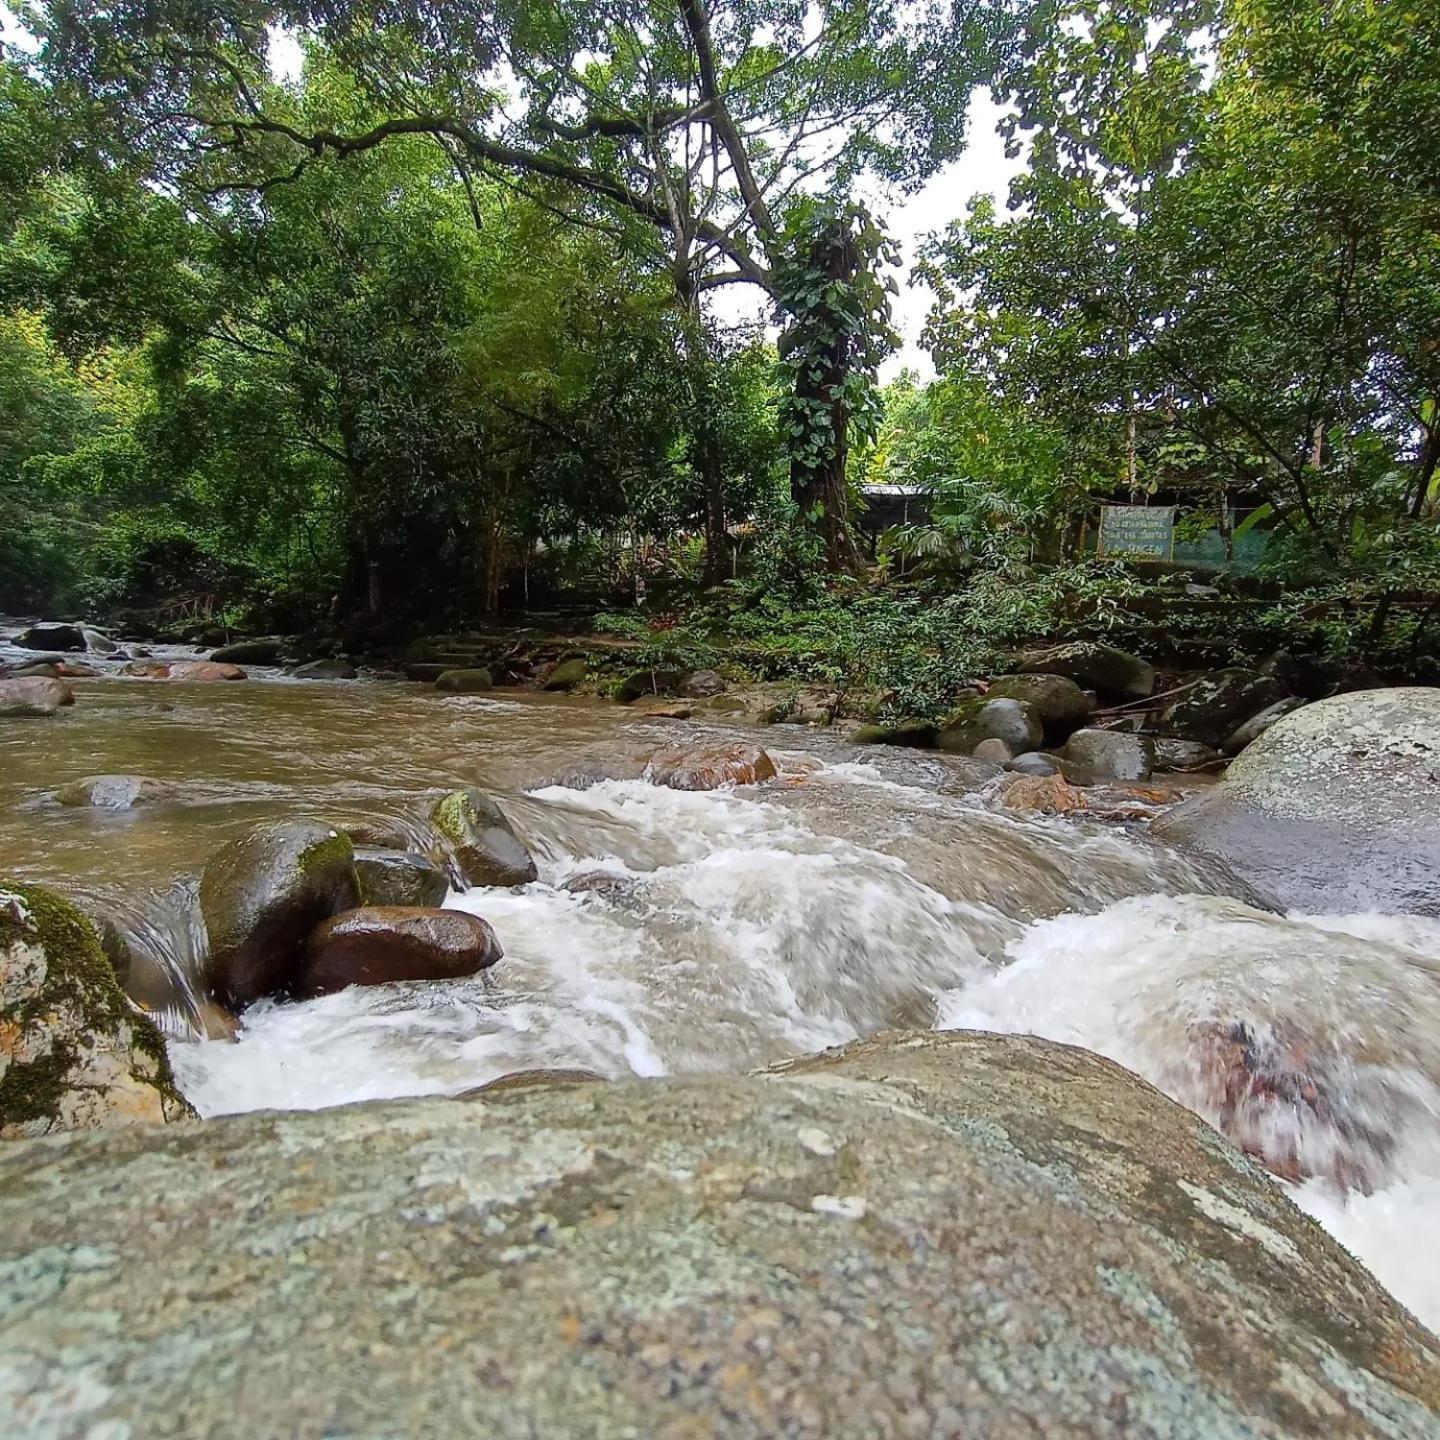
379, 945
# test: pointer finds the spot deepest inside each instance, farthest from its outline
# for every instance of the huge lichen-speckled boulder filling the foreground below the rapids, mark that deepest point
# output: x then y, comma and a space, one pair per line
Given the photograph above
927, 1235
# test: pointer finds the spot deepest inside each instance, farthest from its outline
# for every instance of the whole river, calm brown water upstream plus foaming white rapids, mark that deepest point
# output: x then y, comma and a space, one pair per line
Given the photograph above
679, 932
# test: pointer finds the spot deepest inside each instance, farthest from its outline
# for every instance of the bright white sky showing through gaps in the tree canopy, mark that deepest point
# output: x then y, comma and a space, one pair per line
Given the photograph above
983, 169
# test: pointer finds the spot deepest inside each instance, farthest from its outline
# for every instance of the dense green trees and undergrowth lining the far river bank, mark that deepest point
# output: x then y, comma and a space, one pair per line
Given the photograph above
427, 329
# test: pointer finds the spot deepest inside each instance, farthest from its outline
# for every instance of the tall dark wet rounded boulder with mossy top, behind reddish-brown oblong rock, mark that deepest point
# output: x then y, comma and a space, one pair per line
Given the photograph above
260, 899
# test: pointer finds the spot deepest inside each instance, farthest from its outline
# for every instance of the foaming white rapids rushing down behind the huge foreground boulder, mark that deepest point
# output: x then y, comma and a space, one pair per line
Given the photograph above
715, 932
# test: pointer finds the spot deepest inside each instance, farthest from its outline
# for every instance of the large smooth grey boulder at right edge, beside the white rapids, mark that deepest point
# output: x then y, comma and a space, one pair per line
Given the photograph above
1334, 810
